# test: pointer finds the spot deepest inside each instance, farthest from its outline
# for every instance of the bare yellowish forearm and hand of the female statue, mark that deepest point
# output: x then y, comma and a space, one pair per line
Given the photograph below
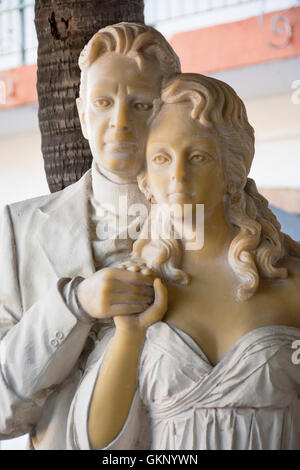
117, 380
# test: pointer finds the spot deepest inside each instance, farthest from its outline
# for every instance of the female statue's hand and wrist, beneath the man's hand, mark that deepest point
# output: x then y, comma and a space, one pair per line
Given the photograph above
138, 323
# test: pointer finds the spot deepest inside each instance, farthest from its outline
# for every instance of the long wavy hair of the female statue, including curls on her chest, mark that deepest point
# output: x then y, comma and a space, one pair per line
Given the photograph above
258, 246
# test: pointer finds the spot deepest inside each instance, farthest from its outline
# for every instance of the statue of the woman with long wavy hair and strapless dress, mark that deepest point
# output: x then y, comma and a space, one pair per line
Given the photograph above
213, 368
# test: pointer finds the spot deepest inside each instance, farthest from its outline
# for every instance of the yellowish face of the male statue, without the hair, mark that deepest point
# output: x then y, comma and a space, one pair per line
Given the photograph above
114, 114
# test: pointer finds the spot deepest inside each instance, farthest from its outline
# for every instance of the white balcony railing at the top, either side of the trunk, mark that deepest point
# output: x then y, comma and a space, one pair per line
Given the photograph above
18, 42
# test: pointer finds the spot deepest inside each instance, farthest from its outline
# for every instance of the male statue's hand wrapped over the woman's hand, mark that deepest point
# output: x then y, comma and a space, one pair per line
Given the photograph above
113, 291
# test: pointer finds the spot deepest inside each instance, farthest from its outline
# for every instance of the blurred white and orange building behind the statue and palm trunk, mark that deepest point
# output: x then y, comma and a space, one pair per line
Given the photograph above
254, 45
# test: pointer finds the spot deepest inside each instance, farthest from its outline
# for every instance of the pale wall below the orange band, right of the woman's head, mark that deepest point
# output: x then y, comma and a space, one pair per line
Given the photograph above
268, 93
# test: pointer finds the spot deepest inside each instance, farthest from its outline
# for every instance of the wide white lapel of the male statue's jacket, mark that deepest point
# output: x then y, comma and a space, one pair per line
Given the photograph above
64, 232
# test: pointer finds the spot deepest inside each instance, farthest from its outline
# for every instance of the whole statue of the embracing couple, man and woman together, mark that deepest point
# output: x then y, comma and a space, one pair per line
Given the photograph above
115, 336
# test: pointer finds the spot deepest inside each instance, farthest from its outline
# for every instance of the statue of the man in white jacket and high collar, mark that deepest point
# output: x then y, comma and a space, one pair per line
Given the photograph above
52, 244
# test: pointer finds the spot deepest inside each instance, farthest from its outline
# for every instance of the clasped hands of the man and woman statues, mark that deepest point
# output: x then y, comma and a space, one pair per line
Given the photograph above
130, 294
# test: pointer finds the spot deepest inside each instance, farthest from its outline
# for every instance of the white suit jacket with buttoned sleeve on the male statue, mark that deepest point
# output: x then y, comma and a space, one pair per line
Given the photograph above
43, 241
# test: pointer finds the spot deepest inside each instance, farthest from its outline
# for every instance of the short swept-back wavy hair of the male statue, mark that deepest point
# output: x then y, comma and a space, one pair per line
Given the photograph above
137, 41
